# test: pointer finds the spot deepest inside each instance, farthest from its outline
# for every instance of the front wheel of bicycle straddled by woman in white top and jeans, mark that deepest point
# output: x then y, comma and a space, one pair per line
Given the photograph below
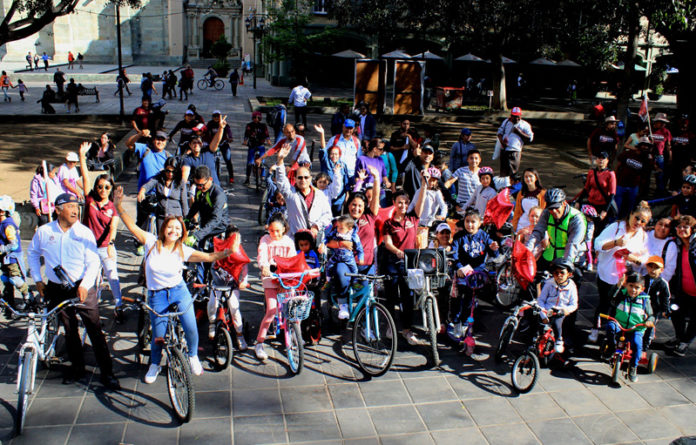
180, 385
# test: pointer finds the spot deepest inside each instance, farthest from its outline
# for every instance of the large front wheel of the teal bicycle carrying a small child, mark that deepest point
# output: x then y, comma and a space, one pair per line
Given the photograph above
374, 348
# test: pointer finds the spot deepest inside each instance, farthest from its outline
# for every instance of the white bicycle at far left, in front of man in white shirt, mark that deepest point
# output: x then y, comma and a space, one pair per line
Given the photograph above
42, 333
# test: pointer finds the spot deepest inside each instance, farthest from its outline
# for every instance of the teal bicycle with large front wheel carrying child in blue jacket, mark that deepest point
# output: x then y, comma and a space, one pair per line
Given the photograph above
374, 330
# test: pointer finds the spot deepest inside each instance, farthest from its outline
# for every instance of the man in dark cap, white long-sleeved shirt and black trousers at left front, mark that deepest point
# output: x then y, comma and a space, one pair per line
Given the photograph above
67, 243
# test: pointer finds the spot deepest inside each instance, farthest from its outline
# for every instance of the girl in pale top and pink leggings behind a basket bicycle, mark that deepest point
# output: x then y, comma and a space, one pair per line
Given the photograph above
272, 245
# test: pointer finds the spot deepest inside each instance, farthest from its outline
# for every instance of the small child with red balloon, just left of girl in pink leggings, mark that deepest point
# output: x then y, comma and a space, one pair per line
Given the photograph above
232, 271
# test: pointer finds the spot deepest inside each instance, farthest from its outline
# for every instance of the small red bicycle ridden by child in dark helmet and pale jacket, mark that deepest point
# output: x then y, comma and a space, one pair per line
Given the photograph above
525, 369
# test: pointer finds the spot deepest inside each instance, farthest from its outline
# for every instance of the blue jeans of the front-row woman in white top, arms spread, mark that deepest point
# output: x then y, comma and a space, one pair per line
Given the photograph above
159, 301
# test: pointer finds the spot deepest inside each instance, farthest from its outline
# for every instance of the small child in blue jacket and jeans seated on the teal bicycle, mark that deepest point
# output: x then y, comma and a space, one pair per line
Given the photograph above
341, 260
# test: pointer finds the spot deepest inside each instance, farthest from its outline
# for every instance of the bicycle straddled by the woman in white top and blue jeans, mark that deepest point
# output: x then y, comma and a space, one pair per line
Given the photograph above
179, 376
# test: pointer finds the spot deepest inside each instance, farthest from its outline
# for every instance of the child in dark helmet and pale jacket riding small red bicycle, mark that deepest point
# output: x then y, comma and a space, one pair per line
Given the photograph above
559, 295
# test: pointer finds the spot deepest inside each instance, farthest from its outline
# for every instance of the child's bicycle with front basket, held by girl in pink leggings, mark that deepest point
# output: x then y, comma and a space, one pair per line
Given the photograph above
293, 307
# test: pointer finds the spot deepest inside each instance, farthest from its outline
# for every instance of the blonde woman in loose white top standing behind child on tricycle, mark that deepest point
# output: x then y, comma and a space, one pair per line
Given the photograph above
621, 243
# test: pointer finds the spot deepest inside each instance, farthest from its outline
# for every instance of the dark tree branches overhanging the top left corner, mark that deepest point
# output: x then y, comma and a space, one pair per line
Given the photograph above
26, 17
